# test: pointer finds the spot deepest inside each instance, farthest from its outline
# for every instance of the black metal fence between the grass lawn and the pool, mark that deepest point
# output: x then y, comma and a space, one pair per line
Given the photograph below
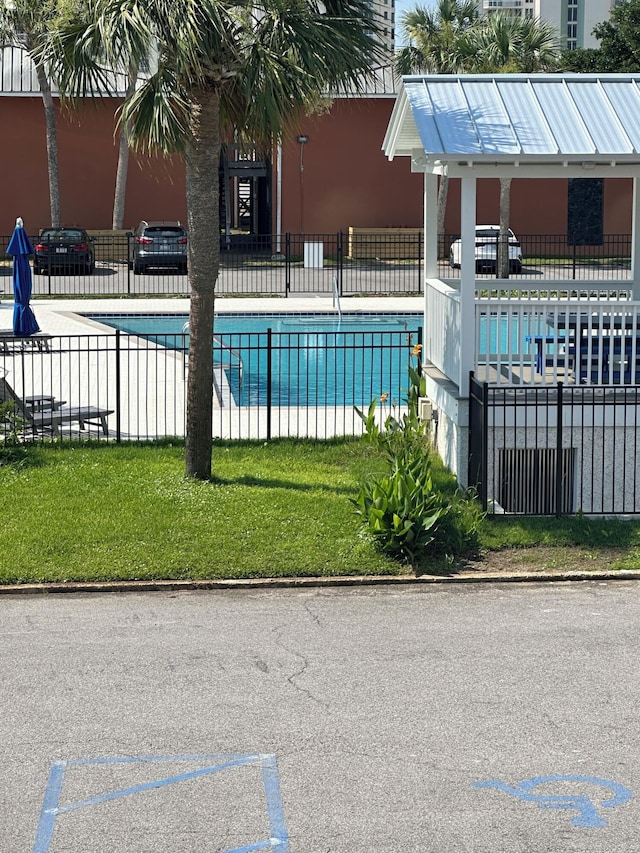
118, 387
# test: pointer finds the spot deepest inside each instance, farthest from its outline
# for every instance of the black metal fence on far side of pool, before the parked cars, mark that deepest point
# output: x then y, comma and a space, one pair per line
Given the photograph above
376, 263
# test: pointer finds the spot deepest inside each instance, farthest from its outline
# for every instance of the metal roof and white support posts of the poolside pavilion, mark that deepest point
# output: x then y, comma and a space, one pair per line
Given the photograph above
512, 126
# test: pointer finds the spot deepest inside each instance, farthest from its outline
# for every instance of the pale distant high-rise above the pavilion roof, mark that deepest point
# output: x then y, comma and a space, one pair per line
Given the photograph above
574, 20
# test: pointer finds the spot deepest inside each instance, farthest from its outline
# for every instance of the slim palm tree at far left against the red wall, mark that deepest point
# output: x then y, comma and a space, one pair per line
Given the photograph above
29, 25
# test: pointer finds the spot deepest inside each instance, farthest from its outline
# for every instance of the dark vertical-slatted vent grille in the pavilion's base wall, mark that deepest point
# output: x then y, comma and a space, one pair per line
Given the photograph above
528, 480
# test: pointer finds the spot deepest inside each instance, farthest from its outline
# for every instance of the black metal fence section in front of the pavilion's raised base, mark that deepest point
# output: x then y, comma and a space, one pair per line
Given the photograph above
557, 450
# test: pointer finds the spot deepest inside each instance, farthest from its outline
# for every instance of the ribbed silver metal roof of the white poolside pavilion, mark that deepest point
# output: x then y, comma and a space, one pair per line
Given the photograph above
550, 117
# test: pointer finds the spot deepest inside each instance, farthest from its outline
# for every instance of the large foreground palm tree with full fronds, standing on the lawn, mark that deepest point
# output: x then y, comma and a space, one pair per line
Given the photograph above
221, 66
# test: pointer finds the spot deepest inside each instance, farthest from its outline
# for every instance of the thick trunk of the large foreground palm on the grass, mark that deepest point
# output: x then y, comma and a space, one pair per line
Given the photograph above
203, 218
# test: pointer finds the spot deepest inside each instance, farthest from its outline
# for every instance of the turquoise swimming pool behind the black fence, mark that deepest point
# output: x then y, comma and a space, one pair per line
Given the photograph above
298, 359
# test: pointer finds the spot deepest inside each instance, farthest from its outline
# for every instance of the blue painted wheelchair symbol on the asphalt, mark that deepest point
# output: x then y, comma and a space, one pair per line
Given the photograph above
588, 814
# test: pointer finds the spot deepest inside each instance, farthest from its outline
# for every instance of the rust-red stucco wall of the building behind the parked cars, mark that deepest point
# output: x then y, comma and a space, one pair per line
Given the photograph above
342, 179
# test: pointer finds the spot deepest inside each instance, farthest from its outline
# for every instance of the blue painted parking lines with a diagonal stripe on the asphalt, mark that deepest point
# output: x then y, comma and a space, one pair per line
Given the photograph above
51, 808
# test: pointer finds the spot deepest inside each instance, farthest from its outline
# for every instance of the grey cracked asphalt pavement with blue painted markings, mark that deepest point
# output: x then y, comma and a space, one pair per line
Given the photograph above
490, 717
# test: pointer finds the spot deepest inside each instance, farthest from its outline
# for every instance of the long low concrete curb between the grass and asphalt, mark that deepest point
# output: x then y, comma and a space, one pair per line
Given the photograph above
311, 582
